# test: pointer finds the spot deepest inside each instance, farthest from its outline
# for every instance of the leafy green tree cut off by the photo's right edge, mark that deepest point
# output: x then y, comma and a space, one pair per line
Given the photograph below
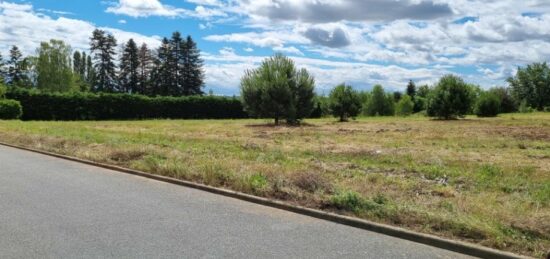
532, 84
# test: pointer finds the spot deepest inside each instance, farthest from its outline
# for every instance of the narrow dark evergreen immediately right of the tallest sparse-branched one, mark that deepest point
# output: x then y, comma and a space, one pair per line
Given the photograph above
129, 65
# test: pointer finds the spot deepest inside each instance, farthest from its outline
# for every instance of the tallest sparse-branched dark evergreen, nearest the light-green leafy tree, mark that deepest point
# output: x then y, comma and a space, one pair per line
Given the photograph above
102, 46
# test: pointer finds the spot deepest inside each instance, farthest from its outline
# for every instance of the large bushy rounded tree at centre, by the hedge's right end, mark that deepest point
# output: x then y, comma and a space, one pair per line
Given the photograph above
277, 90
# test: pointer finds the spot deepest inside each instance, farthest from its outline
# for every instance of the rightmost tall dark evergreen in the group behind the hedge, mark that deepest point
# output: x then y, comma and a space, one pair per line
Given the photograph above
193, 71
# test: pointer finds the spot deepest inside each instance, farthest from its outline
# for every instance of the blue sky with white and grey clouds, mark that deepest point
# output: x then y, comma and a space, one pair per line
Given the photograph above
357, 42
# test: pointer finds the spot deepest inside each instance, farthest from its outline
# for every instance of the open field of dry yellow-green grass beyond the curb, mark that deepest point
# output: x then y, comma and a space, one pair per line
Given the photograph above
485, 181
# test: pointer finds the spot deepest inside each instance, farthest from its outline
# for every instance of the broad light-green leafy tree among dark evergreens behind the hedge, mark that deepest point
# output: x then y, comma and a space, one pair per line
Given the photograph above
53, 67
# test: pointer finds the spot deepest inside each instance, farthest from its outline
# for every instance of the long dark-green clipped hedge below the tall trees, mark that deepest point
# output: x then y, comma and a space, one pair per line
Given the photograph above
88, 106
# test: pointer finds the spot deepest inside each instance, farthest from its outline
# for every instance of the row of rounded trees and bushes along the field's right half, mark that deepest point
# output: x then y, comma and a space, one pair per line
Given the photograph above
278, 90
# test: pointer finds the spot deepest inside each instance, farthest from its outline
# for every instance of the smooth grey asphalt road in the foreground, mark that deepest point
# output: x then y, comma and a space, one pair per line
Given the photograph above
53, 208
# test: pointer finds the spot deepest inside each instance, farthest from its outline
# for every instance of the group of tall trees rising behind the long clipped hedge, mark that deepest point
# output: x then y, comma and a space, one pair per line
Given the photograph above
173, 69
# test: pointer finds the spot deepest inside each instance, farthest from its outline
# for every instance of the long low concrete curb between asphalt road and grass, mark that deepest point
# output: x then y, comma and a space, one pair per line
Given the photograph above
431, 240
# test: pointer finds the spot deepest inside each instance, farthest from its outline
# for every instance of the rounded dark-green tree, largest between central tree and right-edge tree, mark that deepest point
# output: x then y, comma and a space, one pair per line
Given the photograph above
451, 98
